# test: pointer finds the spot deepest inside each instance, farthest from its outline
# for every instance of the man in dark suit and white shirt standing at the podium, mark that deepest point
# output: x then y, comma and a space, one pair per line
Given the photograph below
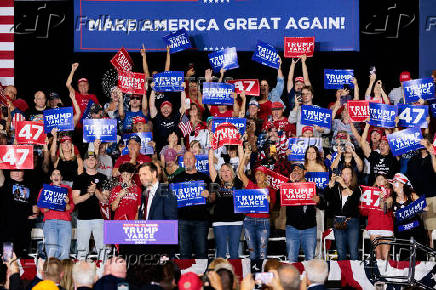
157, 202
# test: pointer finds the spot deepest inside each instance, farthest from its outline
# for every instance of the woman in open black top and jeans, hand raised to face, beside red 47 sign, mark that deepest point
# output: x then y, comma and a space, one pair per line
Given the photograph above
342, 202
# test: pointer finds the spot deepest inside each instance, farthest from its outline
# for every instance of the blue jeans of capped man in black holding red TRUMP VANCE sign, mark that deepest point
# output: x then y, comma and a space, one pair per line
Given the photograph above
306, 238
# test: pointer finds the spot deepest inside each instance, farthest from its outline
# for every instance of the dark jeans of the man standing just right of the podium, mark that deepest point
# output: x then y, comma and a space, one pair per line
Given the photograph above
193, 236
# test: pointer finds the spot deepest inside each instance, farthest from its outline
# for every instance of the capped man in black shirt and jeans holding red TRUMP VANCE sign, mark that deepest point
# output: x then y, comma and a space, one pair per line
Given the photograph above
300, 222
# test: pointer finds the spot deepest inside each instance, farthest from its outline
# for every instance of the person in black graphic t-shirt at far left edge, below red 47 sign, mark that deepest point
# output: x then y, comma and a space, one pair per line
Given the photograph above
18, 208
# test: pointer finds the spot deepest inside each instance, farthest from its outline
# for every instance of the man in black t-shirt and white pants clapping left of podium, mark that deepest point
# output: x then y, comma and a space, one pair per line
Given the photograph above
87, 193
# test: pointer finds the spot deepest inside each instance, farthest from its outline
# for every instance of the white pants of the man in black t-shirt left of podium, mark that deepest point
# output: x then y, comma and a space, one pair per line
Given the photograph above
84, 230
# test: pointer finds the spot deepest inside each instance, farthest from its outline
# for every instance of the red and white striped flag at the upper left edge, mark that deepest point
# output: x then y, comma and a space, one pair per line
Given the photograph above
6, 42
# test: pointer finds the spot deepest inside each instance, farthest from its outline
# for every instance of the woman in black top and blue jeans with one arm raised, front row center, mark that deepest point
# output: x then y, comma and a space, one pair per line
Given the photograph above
227, 225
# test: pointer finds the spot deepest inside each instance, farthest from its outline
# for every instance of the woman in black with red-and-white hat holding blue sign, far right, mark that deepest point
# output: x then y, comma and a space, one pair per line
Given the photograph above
403, 195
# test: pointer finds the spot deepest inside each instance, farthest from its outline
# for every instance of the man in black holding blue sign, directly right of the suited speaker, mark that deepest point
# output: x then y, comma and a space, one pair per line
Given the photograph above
193, 220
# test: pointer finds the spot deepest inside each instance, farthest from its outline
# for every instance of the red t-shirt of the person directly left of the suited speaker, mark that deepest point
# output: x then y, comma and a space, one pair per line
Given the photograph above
128, 206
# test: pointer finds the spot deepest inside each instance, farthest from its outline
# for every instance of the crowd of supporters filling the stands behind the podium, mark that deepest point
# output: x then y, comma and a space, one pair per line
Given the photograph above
118, 181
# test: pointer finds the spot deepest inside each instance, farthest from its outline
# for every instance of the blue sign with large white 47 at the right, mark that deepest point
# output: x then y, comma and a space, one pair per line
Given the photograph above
412, 116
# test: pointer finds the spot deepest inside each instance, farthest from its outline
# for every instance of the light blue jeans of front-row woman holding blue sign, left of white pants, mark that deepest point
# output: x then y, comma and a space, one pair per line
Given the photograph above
57, 238
